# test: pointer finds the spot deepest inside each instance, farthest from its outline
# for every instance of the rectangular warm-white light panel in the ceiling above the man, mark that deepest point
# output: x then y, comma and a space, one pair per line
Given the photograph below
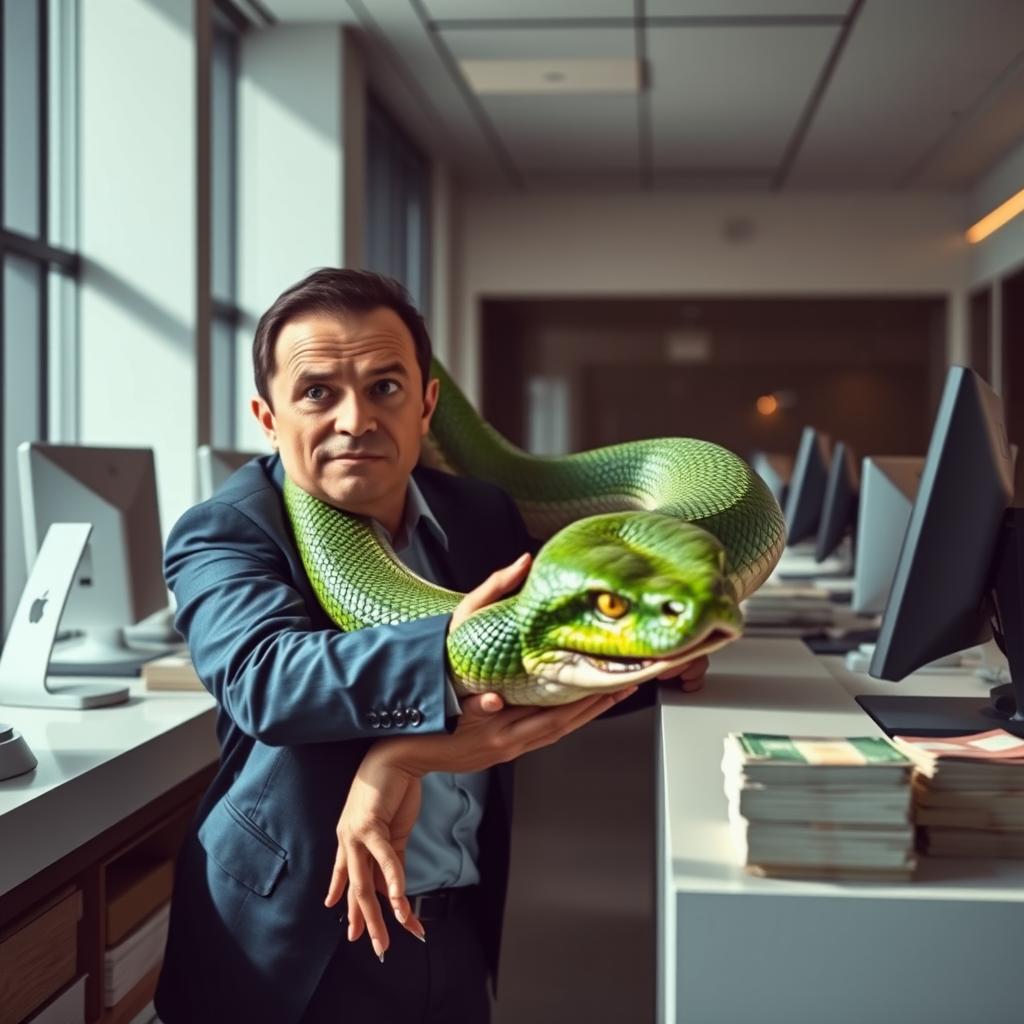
570, 76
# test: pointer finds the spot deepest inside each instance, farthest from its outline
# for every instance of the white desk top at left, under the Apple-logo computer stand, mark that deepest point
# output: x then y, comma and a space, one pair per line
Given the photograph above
97, 767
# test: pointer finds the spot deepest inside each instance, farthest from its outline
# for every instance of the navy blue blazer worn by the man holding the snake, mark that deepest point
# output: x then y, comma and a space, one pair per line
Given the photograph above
249, 934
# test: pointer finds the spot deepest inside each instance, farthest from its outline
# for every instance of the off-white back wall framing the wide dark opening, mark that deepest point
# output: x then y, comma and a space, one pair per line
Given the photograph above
655, 244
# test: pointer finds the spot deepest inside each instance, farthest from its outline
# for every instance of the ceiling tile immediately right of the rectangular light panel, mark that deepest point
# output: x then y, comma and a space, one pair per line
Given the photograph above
731, 98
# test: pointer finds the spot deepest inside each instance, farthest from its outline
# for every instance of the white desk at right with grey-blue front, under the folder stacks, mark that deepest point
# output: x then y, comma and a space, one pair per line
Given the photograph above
943, 950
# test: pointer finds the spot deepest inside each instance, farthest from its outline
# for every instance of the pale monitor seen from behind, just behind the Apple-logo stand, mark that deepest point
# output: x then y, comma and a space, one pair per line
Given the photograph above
120, 578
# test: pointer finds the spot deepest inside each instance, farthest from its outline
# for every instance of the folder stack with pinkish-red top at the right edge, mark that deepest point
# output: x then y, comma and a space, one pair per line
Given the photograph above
969, 793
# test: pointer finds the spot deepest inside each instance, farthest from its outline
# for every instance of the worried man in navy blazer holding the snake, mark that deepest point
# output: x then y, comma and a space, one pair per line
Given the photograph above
343, 372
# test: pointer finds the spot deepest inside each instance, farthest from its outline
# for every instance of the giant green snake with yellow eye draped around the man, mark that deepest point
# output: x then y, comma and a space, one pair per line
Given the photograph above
652, 545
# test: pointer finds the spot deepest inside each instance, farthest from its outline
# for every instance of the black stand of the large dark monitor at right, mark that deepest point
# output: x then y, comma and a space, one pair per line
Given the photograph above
962, 716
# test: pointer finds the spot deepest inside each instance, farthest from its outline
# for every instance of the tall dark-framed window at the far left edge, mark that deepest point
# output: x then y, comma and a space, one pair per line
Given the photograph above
38, 239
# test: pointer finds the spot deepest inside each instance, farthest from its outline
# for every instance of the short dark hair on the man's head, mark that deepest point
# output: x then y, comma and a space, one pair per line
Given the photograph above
336, 293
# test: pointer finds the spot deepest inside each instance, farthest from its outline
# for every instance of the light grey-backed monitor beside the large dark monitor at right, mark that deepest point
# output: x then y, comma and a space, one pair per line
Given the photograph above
888, 487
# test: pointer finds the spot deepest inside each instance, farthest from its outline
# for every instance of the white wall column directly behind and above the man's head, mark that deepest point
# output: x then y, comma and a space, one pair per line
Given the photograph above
302, 179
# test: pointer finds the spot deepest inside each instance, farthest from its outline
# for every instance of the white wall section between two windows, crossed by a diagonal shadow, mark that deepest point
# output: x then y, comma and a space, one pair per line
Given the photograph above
138, 235
